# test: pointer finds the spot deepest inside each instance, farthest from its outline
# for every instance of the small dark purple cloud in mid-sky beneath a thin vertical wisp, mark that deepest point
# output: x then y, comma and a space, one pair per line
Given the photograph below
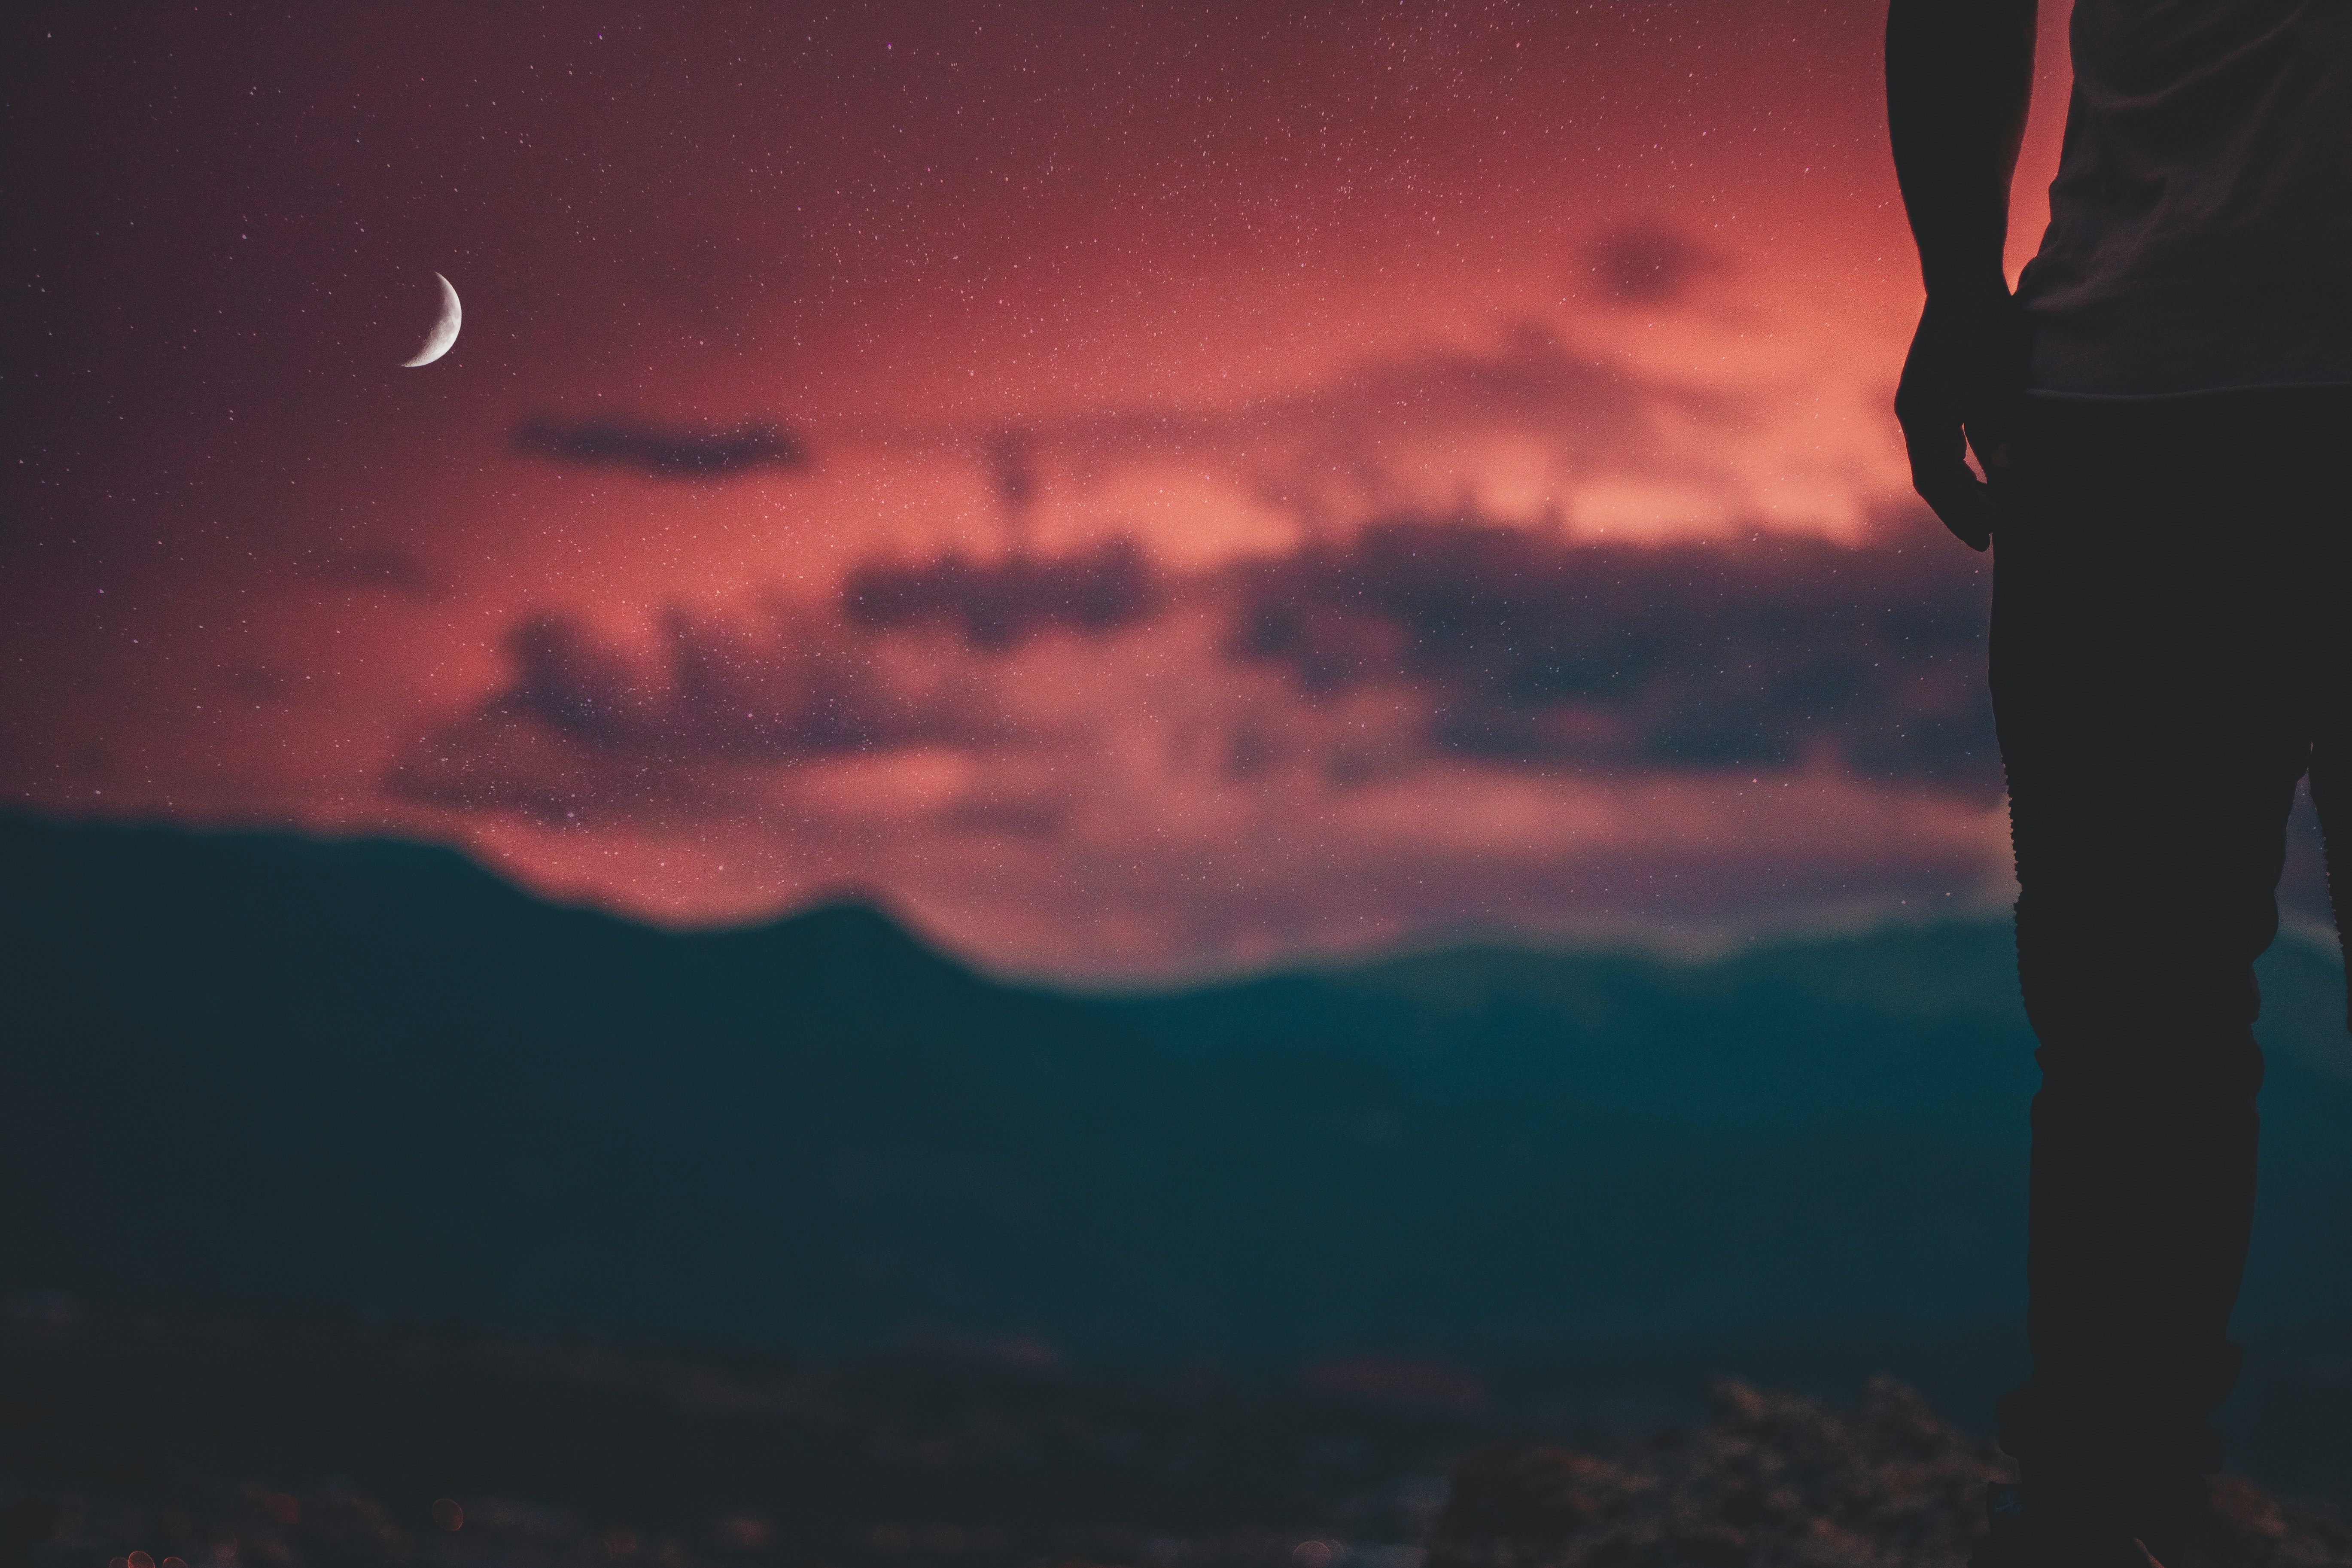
1001, 603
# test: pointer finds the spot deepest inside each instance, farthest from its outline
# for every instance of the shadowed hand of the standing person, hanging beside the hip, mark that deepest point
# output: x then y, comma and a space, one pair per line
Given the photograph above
1960, 389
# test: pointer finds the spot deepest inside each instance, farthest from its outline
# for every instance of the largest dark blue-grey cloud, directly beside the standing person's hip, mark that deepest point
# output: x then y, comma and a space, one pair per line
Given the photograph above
1697, 657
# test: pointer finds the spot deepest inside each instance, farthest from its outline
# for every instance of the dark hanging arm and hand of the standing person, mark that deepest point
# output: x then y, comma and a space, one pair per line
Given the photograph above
1958, 83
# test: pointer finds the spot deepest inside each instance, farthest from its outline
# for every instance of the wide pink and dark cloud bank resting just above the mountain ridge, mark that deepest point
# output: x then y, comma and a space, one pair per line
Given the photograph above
1090, 763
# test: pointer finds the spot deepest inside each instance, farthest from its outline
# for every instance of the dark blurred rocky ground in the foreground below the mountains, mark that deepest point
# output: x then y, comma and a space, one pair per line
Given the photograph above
229, 1445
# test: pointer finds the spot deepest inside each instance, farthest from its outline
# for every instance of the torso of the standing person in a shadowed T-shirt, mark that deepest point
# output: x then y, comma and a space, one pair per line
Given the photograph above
2203, 213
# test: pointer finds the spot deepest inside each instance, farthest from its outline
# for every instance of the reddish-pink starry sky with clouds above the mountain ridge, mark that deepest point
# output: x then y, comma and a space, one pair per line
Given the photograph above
1140, 490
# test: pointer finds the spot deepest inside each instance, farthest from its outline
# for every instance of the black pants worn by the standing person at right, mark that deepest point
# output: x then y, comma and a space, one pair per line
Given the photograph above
2172, 648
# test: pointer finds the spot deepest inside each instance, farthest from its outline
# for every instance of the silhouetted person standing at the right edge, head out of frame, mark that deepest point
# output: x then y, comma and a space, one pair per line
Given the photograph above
2163, 413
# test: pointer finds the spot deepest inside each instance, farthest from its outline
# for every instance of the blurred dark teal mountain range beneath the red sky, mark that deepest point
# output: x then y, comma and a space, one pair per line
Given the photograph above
253, 1068
